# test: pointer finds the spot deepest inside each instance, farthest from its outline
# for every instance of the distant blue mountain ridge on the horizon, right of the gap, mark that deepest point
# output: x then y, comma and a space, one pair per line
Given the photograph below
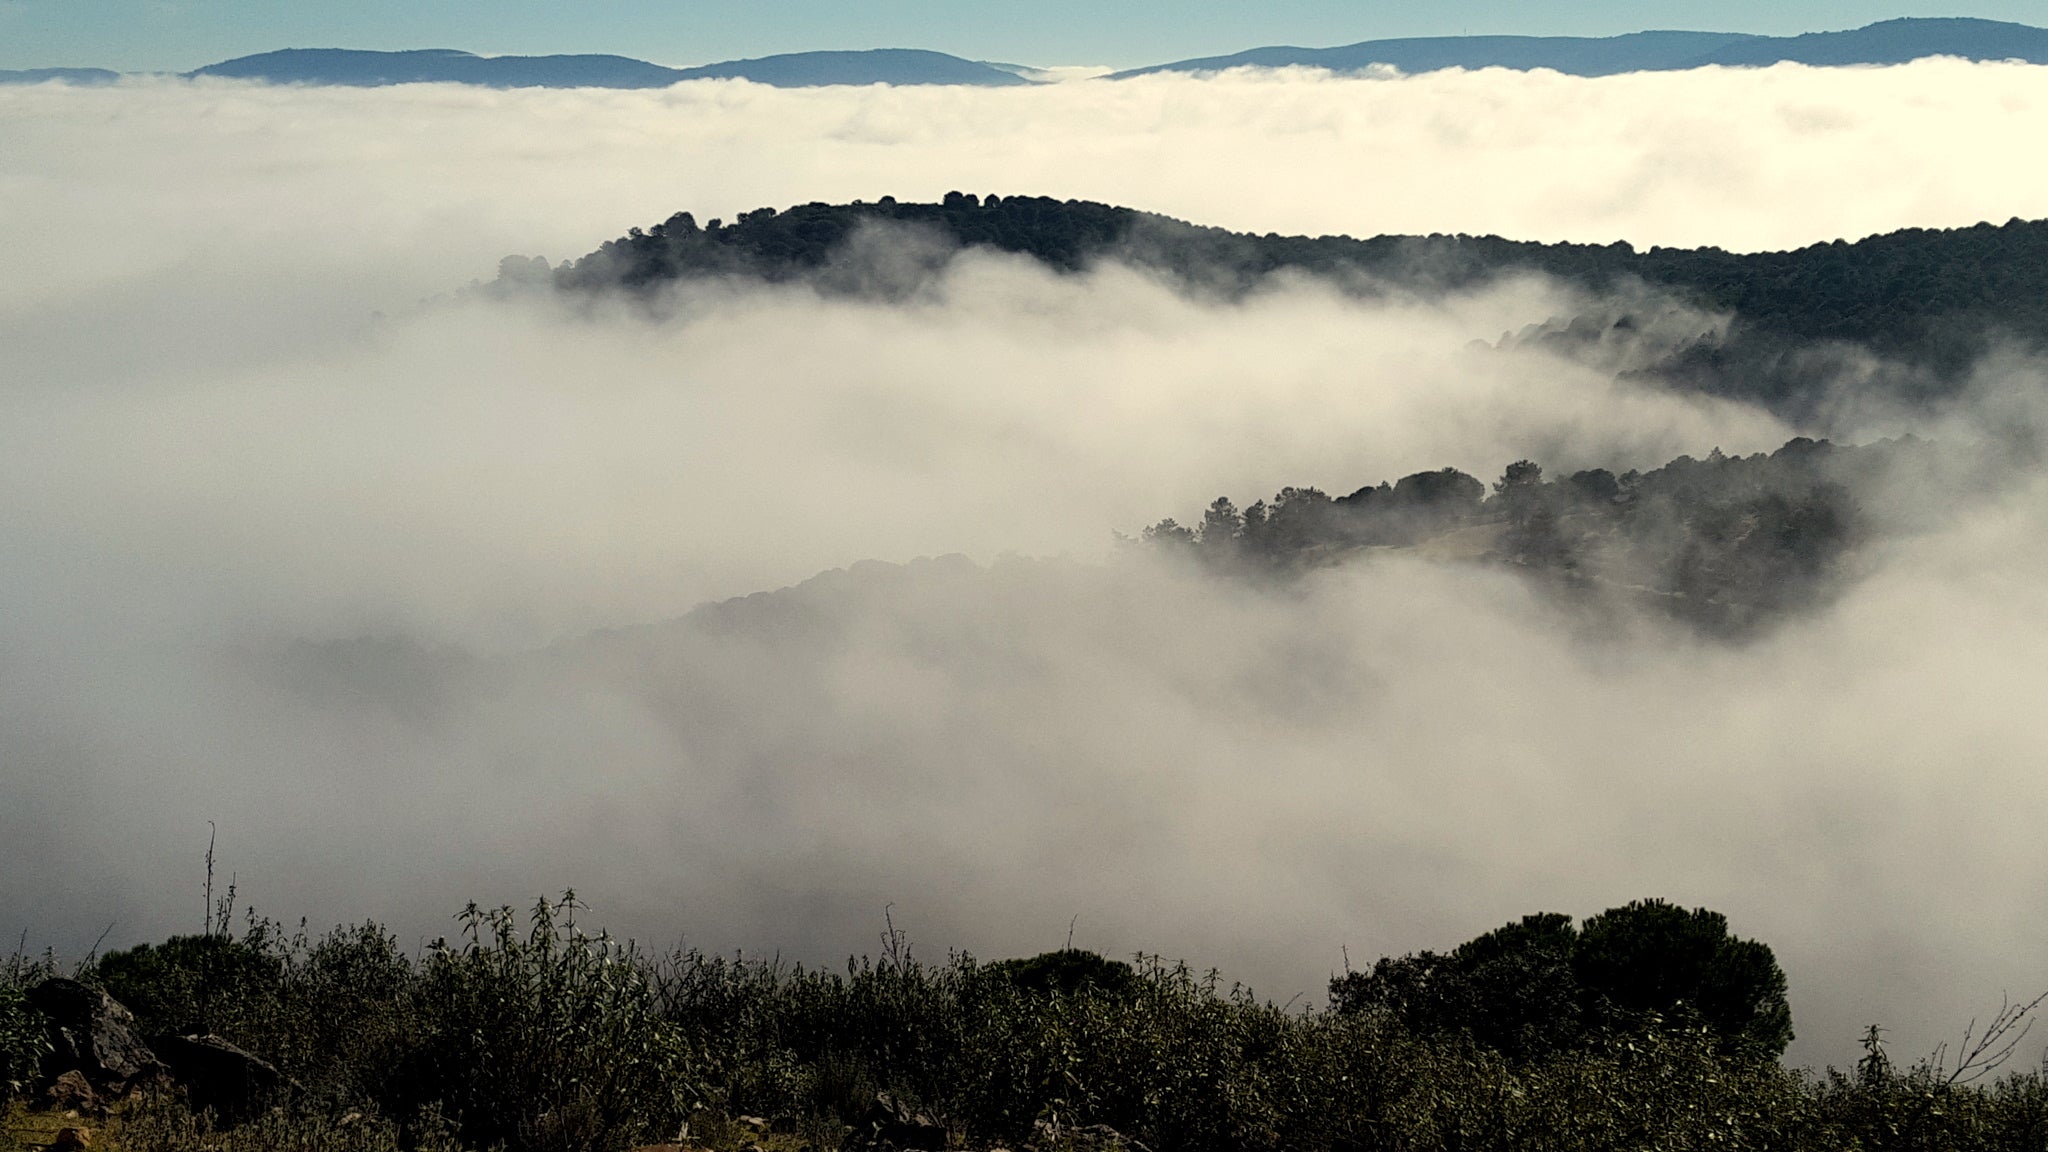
1889, 42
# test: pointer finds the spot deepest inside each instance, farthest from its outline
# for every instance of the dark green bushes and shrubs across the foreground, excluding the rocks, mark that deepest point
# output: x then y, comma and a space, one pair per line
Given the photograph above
1644, 1028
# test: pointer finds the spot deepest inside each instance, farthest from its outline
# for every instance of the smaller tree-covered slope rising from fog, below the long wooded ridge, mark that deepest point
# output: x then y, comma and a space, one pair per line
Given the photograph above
1727, 544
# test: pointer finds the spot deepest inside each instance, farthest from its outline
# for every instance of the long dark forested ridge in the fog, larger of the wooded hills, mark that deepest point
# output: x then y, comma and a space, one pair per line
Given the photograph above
1926, 300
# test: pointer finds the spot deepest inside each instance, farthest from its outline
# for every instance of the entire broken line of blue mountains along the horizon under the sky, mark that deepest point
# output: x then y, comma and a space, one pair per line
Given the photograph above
1891, 42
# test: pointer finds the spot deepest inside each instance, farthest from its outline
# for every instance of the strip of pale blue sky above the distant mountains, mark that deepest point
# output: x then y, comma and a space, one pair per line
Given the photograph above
187, 34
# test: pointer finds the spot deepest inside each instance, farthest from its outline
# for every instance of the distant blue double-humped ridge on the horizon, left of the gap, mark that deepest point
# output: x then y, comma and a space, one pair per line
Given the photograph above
447, 67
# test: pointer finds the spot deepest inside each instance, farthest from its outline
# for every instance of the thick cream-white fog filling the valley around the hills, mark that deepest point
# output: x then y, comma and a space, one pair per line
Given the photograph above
290, 548
